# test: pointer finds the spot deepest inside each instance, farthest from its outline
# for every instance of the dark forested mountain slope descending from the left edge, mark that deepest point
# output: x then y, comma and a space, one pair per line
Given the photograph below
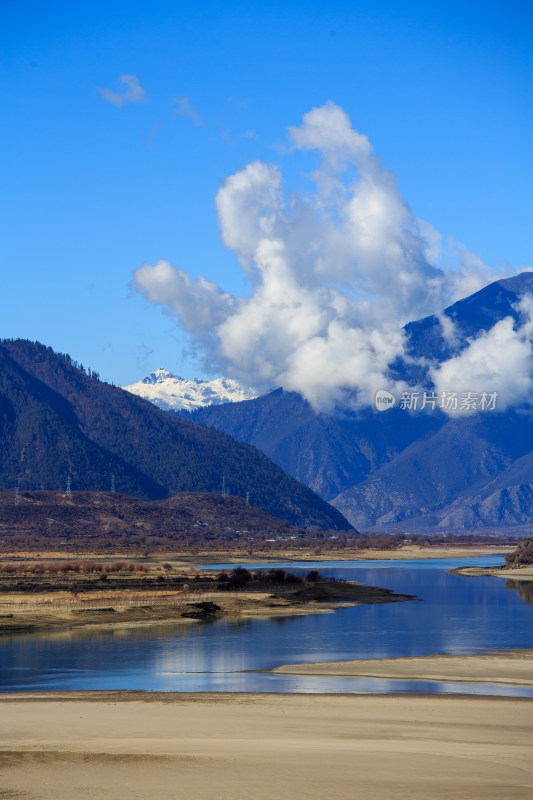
56, 420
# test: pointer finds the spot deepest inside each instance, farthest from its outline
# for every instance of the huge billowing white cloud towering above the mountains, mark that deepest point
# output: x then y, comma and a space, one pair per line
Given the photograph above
334, 273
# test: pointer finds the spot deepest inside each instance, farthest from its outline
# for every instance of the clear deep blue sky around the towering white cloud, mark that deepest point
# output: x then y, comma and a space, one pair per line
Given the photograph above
92, 189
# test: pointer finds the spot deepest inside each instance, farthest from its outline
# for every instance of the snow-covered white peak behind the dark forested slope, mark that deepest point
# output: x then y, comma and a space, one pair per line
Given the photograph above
172, 393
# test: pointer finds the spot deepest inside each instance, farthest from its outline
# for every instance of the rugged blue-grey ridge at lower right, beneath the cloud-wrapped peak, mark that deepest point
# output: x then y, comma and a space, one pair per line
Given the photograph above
463, 475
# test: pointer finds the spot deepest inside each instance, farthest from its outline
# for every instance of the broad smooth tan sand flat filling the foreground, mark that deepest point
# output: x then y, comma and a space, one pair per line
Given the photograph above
171, 747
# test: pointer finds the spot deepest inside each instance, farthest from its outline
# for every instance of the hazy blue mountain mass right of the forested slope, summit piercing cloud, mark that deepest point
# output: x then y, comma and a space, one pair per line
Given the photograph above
394, 468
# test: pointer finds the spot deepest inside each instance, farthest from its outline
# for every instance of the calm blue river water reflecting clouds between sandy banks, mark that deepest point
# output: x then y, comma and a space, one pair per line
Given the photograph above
454, 615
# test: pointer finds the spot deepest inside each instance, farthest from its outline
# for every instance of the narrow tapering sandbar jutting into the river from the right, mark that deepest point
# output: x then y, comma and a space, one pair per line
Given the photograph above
511, 667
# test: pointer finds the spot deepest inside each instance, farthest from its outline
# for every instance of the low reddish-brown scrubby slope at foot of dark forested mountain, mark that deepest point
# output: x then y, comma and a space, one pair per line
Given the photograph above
101, 520
